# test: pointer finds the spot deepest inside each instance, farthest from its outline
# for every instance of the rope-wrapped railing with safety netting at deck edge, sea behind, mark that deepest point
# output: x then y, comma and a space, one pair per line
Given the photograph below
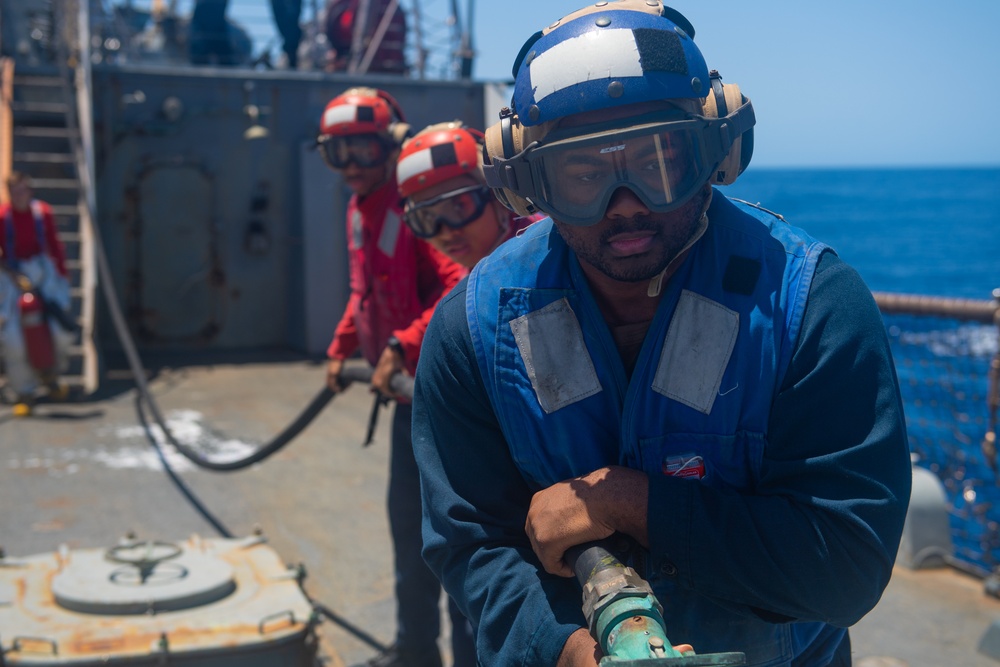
947, 356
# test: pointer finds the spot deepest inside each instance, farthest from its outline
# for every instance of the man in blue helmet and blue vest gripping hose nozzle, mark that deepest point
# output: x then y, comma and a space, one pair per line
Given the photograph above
657, 362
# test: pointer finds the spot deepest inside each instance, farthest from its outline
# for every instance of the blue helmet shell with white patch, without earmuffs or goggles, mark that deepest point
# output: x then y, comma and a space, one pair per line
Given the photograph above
608, 55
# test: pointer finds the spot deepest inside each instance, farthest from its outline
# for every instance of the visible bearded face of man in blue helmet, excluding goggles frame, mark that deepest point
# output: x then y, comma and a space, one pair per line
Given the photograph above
630, 243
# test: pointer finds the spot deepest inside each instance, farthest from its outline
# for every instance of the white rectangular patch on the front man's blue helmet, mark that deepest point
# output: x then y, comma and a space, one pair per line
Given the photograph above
602, 54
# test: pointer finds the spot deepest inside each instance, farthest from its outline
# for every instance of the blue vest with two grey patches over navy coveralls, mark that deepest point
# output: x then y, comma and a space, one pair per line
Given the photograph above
698, 400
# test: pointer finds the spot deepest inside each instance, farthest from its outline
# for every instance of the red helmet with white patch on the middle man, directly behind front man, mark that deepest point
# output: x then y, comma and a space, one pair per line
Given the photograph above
438, 153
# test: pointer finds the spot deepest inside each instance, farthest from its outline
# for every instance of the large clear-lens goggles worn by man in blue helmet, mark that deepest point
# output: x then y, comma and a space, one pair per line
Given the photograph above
664, 158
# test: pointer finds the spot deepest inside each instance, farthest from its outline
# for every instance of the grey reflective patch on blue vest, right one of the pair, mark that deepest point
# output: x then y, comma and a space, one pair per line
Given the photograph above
696, 351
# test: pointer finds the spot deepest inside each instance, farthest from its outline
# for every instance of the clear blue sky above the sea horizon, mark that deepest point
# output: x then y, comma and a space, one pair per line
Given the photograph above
852, 83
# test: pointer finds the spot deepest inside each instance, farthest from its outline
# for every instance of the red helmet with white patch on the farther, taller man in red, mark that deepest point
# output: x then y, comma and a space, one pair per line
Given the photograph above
364, 111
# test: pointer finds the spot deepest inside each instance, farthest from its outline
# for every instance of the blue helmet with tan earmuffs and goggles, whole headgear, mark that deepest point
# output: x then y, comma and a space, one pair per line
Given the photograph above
609, 55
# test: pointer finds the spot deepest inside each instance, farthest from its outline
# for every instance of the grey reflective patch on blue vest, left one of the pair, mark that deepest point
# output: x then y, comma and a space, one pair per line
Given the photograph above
559, 366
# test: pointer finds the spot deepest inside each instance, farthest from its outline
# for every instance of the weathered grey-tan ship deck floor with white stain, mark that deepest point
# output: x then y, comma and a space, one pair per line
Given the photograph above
84, 474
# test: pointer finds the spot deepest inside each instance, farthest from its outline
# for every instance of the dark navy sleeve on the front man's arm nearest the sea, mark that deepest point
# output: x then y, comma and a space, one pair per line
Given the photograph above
817, 539
